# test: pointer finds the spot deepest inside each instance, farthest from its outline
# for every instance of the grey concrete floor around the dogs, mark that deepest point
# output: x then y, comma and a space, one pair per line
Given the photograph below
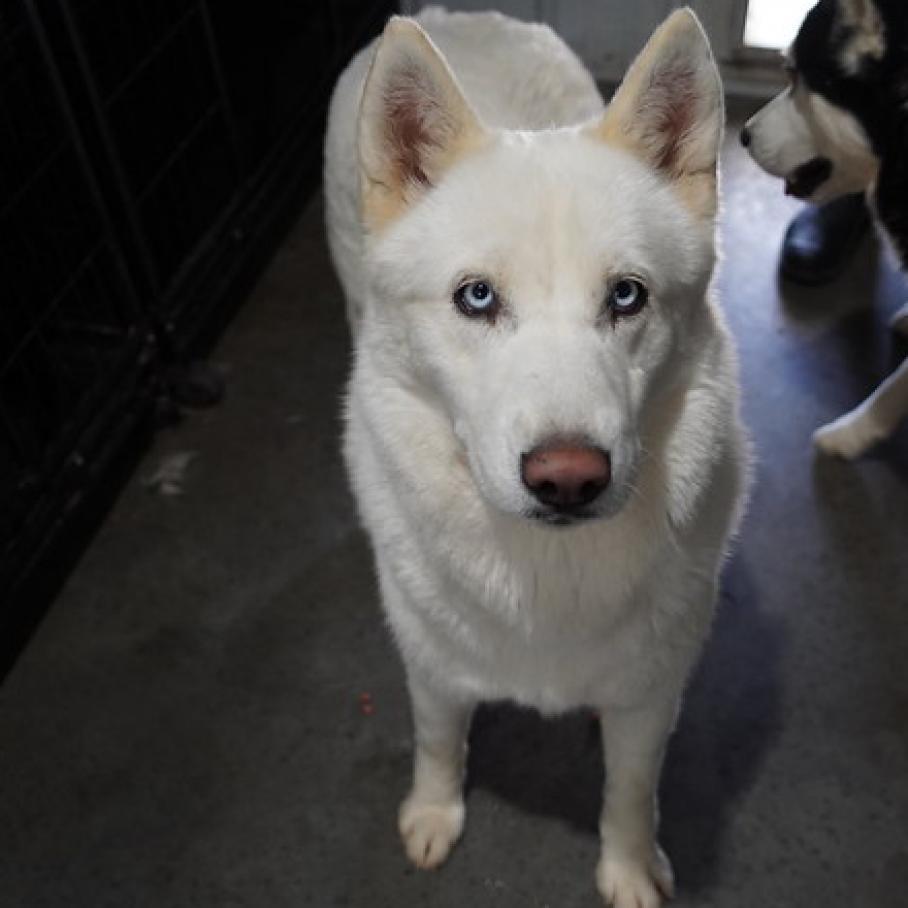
186, 729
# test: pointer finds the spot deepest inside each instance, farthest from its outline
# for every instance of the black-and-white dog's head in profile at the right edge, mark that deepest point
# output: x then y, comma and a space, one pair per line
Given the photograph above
814, 135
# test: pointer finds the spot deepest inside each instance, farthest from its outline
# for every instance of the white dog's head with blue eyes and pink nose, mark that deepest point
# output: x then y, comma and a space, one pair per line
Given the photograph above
544, 290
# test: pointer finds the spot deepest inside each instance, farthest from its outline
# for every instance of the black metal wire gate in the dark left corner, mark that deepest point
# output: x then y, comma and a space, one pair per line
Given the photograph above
151, 154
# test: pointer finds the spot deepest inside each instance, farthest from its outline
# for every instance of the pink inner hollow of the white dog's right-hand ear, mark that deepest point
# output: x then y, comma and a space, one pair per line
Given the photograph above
672, 101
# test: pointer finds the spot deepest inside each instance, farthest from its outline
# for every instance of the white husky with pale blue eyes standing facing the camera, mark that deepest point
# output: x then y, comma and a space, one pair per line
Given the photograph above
542, 425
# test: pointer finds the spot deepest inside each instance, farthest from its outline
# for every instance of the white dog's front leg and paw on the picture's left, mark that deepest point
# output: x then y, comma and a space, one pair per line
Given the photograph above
432, 815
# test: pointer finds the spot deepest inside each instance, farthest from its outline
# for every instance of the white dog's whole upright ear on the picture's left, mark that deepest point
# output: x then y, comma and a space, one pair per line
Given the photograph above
414, 123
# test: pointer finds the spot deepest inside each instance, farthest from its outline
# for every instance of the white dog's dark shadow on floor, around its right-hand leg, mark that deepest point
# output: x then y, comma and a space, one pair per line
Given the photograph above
730, 719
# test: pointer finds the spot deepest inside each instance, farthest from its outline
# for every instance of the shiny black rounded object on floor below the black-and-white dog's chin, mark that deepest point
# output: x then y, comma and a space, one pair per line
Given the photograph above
821, 240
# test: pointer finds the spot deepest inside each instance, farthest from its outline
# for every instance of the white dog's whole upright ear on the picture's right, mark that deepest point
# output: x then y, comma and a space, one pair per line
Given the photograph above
669, 110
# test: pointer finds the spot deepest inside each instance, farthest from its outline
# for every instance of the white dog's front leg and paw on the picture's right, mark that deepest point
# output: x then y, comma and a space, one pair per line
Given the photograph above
633, 871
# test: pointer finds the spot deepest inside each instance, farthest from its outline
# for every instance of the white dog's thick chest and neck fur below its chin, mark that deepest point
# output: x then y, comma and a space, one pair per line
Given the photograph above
552, 619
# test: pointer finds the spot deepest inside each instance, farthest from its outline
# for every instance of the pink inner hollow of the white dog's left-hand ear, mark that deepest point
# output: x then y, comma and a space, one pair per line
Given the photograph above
411, 111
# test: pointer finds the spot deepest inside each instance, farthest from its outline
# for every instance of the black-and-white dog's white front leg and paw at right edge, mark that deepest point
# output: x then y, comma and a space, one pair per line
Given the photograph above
851, 435
